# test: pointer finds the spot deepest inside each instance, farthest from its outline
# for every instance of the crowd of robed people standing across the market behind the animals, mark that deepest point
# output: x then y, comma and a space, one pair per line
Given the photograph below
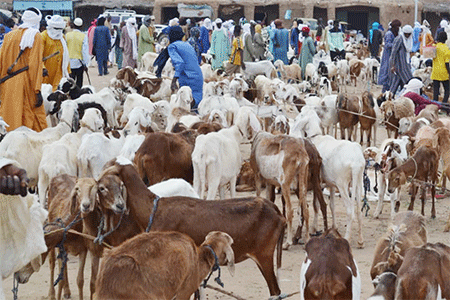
62, 52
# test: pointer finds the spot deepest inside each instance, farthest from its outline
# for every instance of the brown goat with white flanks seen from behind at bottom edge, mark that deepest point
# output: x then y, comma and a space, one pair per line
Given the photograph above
329, 270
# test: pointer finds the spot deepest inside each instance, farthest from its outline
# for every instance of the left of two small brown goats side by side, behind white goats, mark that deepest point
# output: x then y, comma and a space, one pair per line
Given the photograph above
348, 120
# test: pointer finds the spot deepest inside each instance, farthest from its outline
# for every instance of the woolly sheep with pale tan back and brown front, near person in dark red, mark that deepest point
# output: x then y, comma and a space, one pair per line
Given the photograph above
393, 111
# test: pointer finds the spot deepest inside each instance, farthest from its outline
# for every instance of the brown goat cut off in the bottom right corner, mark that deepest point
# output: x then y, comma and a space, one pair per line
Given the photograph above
425, 273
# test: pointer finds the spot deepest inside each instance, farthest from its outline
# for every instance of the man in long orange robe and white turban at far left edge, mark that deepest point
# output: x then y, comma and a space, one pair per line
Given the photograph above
20, 95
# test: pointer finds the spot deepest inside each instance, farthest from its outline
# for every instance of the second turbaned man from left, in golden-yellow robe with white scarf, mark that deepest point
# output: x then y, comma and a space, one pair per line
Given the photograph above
53, 39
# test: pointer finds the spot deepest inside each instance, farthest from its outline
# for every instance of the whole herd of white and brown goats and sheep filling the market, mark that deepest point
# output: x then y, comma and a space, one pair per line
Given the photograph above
129, 168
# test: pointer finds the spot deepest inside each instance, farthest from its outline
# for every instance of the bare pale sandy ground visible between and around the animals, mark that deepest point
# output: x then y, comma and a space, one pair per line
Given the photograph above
248, 283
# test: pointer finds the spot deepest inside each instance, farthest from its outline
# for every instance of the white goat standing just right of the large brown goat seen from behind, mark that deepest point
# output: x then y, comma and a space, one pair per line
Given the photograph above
343, 165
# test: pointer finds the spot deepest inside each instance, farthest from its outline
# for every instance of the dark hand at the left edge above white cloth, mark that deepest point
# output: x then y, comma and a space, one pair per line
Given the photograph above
13, 181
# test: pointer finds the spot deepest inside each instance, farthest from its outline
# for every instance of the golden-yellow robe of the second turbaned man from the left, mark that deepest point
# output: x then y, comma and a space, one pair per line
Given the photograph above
54, 64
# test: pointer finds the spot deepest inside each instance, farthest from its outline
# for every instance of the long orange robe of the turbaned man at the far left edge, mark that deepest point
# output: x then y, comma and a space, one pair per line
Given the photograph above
18, 94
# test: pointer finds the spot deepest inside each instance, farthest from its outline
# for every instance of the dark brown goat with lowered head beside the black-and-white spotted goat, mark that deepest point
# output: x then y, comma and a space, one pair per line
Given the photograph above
423, 167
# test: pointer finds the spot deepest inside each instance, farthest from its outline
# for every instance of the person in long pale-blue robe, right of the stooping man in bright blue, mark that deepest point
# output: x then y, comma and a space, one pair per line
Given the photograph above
220, 46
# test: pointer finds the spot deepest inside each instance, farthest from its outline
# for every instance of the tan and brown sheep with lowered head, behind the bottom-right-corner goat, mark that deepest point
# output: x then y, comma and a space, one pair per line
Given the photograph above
408, 230
